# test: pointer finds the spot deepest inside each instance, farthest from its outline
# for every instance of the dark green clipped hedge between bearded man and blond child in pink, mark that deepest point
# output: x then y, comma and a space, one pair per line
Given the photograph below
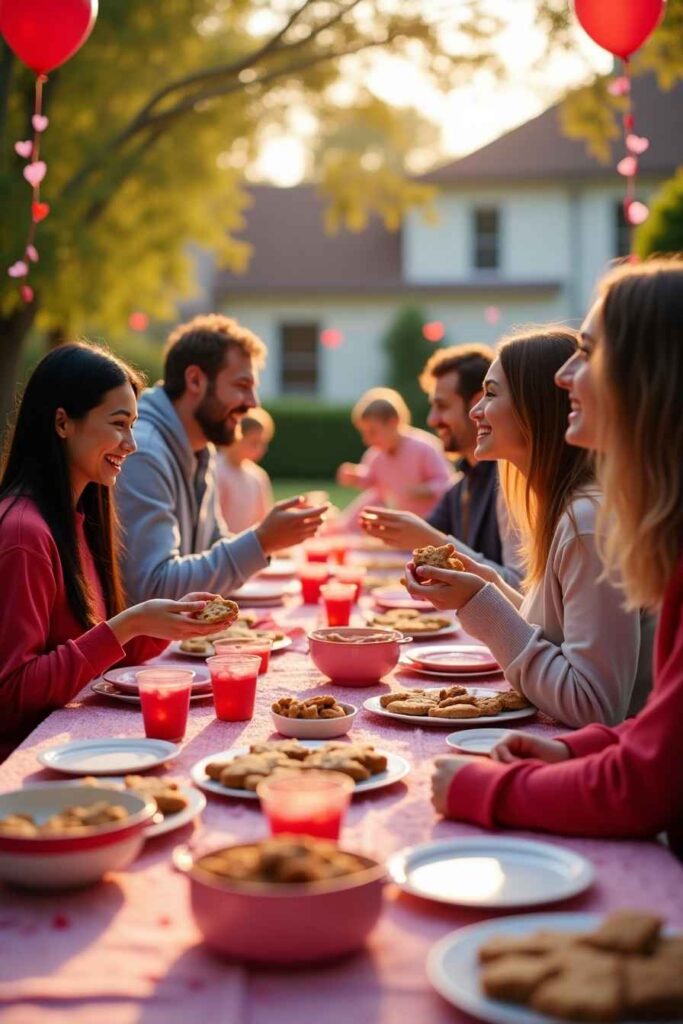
312, 439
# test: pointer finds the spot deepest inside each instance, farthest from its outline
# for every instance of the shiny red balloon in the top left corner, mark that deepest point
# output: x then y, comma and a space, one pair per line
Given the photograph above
46, 33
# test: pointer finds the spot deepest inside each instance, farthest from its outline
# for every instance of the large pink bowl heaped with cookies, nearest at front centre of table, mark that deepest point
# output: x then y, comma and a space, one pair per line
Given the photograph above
290, 900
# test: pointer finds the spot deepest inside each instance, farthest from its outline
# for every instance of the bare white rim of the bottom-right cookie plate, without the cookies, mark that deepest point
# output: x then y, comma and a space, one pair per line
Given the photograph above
453, 965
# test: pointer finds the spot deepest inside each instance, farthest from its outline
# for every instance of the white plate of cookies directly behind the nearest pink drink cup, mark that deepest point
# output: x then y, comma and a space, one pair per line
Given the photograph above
237, 773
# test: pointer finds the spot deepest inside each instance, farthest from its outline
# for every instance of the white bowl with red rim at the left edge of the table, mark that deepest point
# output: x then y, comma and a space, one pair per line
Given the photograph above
74, 859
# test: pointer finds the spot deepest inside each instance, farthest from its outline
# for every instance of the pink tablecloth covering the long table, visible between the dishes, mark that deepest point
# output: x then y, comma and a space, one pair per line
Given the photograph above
127, 952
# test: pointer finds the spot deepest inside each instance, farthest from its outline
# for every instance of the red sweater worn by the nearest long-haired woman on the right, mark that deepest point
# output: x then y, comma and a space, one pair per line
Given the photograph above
622, 782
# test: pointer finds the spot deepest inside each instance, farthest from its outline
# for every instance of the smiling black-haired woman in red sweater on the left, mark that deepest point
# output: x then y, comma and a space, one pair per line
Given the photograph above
64, 619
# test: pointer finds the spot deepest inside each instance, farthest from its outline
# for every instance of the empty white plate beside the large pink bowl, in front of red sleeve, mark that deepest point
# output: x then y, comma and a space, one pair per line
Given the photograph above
491, 872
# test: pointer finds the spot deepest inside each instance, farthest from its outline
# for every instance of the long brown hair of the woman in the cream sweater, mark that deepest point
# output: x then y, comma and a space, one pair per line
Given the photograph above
536, 502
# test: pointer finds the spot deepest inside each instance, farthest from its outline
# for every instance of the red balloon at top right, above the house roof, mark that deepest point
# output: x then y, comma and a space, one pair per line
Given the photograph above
620, 26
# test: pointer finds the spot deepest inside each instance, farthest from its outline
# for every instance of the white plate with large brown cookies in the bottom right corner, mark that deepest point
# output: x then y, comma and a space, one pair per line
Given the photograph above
549, 968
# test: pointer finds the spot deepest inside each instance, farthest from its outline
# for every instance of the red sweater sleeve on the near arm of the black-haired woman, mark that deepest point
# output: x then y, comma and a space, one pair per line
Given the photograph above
32, 679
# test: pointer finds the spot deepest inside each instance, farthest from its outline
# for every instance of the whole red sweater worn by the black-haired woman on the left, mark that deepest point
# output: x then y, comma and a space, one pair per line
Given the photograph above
46, 657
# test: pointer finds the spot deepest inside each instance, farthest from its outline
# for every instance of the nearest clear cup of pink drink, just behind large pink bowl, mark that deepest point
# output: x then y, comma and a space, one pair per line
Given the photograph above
311, 803
